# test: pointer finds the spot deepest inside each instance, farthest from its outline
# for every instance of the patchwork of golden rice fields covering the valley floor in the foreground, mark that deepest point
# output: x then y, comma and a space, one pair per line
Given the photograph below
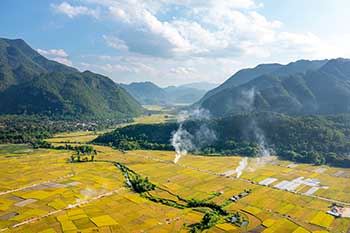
41, 192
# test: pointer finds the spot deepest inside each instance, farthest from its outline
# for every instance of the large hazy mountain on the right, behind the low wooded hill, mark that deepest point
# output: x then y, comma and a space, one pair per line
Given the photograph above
313, 87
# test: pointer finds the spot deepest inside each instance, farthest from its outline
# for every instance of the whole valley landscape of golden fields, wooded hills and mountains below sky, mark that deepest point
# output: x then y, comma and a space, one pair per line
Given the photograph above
263, 152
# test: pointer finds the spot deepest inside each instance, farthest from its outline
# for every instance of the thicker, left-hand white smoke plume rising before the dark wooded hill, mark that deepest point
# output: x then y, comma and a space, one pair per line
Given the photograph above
183, 141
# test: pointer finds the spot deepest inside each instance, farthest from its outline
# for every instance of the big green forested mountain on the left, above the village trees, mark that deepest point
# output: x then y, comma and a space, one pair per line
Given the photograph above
32, 84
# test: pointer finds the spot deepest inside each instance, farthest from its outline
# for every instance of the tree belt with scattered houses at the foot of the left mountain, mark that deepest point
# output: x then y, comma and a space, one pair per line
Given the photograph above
29, 129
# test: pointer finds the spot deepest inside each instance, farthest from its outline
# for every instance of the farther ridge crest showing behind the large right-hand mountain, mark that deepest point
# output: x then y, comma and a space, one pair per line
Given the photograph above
245, 75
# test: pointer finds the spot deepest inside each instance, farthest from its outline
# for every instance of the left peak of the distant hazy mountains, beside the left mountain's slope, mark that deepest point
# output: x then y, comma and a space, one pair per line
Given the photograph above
147, 93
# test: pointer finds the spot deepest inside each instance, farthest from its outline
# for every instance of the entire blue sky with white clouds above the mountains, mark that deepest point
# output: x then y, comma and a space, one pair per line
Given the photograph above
172, 42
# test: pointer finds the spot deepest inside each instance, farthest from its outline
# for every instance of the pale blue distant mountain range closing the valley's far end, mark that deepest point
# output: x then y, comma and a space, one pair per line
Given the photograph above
148, 93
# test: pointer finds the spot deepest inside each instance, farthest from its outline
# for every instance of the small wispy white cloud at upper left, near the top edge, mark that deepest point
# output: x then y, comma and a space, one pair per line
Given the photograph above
73, 11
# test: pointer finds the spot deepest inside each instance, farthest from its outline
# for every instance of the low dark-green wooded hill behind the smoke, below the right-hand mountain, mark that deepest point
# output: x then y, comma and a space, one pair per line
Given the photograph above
307, 139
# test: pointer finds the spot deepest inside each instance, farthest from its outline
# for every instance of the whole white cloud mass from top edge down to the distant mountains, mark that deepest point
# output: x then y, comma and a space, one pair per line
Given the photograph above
179, 41
